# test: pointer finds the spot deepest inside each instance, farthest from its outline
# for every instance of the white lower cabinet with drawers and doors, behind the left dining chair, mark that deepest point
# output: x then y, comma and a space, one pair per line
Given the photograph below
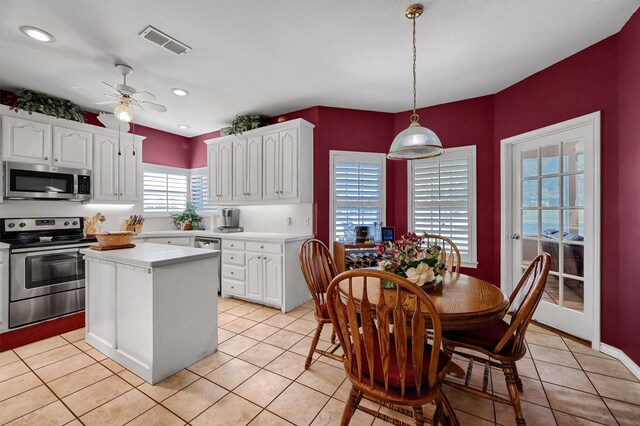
270, 274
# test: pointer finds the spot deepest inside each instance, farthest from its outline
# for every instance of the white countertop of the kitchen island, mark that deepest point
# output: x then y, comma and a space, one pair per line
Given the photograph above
149, 255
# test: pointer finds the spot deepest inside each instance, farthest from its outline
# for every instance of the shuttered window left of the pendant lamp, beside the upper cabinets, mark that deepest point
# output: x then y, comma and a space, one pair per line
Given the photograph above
357, 190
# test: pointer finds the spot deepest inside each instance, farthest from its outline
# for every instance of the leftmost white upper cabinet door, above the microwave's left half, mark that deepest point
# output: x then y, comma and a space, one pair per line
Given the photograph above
25, 141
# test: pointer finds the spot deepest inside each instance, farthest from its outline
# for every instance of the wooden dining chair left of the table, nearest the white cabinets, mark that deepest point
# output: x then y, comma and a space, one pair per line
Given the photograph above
318, 269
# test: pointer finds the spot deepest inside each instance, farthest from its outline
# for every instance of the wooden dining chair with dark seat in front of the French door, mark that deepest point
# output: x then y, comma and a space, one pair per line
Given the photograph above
502, 341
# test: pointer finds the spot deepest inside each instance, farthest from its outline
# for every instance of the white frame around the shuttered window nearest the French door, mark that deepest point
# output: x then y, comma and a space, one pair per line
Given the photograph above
470, 152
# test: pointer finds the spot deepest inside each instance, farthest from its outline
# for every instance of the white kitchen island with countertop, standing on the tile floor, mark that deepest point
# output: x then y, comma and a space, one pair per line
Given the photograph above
152, 308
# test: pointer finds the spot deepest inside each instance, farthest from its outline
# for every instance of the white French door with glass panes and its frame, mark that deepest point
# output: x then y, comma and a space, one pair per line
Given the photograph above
551, 204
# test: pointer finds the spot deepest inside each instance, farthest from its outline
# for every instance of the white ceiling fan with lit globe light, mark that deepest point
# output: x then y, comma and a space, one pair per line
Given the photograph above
126, 97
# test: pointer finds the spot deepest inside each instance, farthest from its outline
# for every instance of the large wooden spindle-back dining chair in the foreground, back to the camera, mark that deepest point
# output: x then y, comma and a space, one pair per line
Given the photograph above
392, 366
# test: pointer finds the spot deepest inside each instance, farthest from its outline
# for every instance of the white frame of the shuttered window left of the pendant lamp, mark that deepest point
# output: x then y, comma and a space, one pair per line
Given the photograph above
355, 156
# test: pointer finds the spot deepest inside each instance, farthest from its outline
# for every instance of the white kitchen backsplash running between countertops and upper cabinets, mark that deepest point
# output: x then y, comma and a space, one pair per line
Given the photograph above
259, 218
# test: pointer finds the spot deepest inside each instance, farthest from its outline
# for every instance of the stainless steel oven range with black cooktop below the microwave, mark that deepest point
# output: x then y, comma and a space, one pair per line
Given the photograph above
46, 270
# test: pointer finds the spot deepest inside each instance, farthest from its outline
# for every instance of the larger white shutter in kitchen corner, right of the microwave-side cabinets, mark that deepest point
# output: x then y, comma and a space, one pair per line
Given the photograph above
165, 191
